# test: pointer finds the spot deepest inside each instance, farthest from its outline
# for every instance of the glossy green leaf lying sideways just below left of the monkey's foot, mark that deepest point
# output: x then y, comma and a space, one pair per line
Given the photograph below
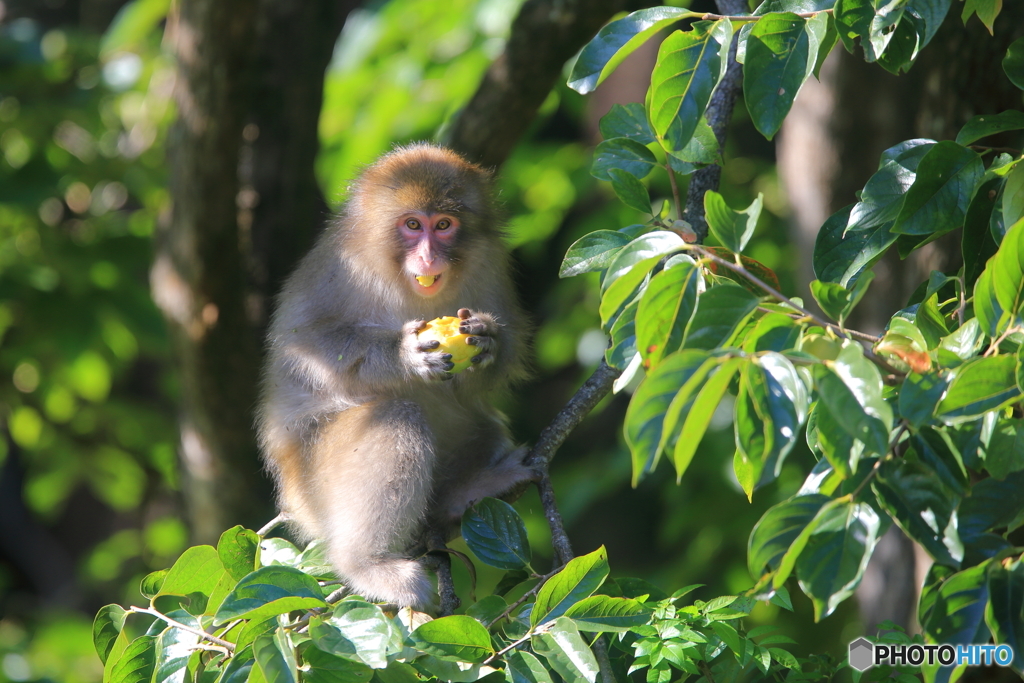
269, 591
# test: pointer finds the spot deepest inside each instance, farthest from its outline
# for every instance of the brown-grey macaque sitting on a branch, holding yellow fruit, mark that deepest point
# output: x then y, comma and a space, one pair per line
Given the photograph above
369, 436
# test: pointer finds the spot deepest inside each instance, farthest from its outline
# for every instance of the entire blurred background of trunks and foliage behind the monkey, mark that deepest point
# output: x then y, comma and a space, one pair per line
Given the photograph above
132, 320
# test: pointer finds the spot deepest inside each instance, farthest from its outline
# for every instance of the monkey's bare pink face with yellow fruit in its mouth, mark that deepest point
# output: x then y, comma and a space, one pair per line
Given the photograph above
428, 239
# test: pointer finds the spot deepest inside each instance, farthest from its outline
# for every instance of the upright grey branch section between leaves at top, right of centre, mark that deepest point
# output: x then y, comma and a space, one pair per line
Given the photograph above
719, 113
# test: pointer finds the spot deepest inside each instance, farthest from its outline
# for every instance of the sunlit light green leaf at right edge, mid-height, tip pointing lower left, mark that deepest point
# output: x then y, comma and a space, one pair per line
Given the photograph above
979, 387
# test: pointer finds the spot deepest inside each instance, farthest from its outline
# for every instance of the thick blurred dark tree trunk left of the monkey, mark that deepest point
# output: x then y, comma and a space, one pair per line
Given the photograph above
245, 206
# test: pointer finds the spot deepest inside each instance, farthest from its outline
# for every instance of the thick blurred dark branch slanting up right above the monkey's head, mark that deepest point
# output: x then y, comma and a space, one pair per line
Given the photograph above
545, 35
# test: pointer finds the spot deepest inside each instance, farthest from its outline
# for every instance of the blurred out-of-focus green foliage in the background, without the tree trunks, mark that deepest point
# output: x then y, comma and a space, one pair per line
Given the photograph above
91, 402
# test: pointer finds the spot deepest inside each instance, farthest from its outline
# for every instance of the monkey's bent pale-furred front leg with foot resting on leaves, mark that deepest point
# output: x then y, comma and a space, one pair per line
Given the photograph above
374, 465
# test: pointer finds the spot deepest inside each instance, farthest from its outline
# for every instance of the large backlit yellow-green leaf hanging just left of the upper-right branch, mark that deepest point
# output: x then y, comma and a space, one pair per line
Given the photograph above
690, 65
